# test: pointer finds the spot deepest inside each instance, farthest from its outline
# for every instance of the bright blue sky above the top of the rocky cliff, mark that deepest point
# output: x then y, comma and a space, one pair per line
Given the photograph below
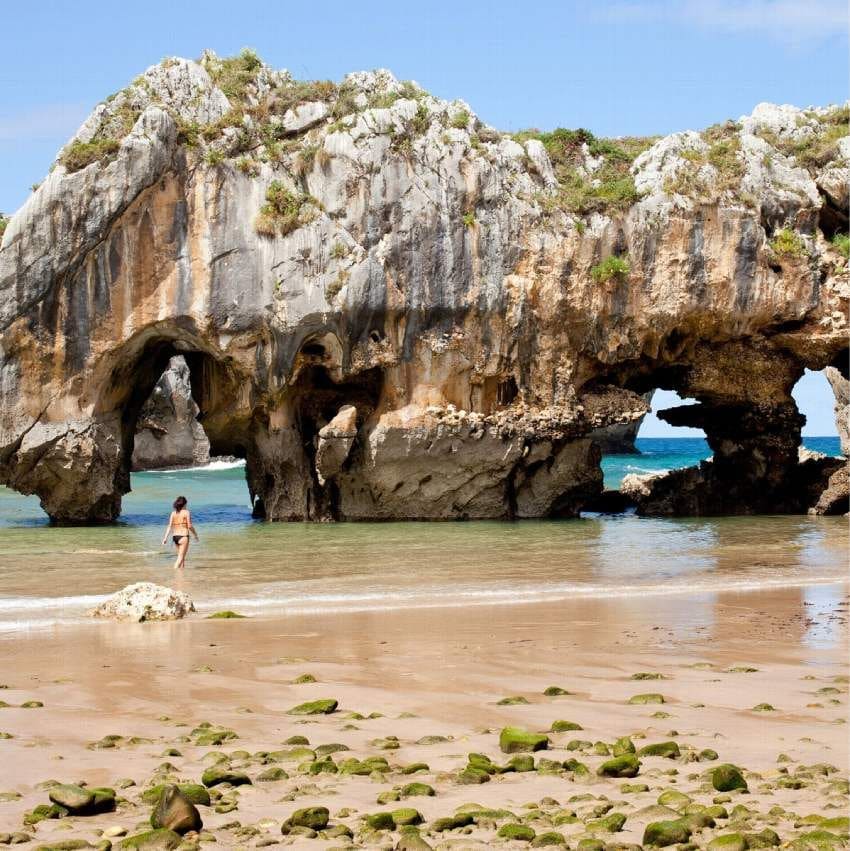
617, 68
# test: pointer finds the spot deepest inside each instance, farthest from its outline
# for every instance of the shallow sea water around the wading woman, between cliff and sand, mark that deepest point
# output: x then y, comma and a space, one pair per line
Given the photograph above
53, 575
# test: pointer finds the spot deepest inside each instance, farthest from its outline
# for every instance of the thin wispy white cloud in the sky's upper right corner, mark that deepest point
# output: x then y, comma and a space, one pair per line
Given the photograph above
790, 21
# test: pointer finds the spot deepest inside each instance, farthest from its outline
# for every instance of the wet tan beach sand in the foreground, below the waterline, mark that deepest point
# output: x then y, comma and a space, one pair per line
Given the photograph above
440, 672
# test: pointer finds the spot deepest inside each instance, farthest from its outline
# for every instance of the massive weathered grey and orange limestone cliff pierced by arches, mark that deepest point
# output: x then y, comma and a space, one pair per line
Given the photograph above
485, 304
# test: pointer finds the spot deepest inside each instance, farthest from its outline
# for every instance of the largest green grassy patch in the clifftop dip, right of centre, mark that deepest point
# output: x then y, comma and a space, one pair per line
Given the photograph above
608, 187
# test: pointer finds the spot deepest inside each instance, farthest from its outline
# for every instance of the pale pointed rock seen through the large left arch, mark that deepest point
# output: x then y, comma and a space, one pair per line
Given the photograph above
168, 433
